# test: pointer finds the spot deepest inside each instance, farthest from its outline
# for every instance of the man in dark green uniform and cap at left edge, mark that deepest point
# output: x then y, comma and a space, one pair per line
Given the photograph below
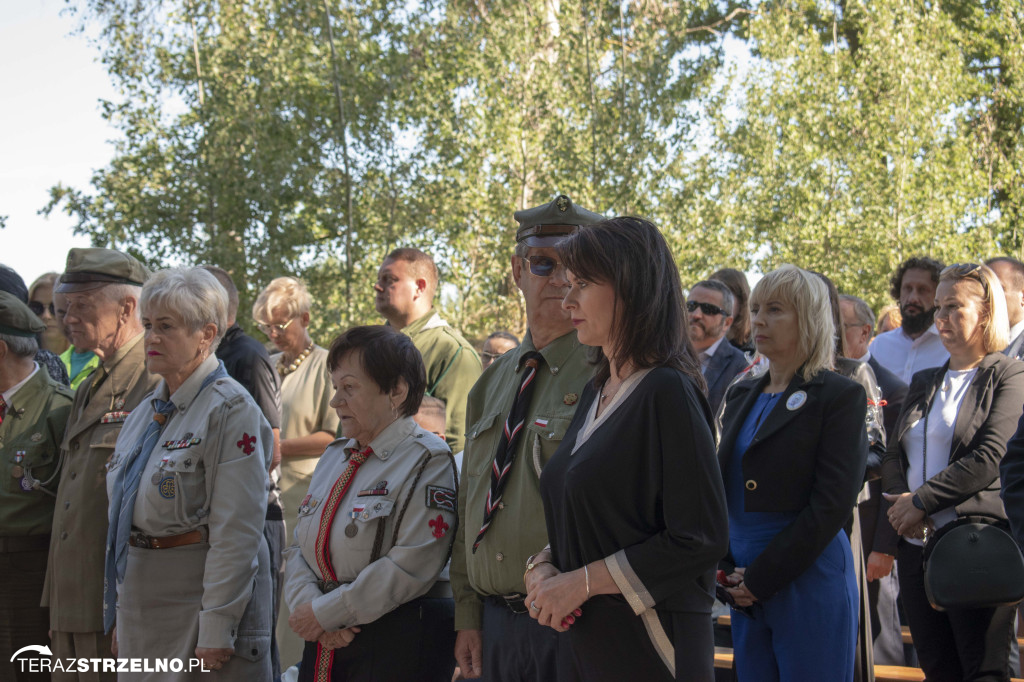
34, 412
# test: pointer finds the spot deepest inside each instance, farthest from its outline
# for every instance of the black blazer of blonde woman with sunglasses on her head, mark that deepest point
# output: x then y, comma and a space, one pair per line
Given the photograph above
987, 420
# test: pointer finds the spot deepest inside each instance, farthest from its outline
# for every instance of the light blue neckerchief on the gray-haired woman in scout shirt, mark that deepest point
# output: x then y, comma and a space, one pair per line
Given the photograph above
124, 492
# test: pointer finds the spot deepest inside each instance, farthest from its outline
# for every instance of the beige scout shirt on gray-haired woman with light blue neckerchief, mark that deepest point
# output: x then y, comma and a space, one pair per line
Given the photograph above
208, 470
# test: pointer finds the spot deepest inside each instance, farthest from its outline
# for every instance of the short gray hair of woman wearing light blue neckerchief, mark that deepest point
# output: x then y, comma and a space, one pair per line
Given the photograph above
193, 294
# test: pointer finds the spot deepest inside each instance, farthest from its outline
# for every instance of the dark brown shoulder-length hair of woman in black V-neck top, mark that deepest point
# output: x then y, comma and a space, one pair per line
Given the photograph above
650, 320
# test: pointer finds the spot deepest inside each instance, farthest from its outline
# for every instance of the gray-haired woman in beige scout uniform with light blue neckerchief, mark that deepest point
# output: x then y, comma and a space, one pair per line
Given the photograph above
188, 495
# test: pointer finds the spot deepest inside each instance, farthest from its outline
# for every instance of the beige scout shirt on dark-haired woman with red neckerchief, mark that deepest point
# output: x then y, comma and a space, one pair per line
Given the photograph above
409, 565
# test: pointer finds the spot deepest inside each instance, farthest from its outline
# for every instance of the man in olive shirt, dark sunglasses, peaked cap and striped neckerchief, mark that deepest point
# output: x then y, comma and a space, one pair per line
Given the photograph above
490, 556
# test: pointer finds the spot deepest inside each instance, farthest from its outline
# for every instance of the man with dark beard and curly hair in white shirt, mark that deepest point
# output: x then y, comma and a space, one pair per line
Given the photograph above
916, 346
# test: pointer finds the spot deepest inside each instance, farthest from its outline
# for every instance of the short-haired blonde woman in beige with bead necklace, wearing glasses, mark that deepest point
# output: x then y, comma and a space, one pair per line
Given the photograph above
309, 423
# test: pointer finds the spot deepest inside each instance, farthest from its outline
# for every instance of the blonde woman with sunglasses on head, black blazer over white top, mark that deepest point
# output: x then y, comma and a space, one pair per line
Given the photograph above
944, 463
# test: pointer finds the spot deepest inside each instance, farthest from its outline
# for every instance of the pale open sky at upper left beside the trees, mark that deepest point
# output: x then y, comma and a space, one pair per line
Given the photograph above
53, 132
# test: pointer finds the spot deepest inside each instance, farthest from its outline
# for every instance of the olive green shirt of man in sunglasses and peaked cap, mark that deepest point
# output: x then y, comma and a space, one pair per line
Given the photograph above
518, 531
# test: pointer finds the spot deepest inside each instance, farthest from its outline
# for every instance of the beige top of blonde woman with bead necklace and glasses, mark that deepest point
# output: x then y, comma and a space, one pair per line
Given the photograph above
306, 409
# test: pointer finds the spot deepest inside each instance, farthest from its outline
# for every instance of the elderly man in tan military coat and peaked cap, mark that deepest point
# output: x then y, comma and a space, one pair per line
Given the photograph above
103, 288
